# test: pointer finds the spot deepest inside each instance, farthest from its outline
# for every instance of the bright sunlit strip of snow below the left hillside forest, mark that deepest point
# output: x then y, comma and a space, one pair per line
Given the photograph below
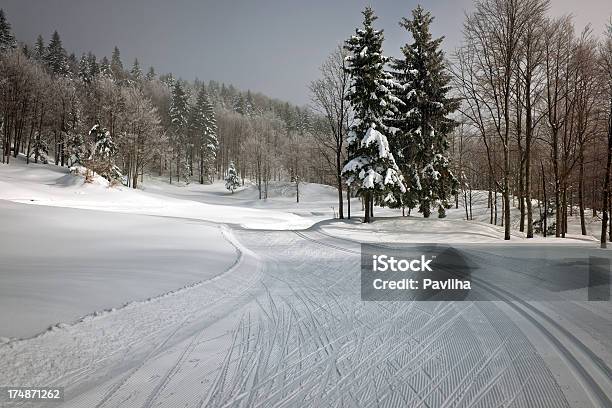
45, 185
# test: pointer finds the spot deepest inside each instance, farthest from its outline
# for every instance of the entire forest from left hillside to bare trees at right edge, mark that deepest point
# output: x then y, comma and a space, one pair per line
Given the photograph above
522, 109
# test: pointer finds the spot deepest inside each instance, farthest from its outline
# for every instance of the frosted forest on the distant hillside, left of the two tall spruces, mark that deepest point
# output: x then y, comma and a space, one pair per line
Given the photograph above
58, 108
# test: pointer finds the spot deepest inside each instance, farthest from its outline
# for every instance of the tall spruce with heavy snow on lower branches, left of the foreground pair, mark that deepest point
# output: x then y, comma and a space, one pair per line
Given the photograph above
371, 168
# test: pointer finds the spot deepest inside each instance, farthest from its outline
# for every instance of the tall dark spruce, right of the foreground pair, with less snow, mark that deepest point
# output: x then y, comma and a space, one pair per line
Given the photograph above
421, 143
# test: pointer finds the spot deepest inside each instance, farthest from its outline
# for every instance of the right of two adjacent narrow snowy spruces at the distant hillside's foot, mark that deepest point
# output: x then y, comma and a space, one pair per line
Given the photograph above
204, 127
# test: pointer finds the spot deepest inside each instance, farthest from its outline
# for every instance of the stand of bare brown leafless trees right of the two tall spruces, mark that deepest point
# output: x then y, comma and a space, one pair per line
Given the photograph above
535, 104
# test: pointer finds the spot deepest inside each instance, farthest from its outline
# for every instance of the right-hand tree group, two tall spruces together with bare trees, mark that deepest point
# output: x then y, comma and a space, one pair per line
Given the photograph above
522, 109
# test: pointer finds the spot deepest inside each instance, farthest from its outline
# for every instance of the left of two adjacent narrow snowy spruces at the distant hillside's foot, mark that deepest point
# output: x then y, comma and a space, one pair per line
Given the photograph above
179, 114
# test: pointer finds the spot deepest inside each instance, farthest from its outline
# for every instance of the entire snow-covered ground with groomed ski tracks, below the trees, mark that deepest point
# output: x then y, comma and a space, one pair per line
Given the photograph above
241, 302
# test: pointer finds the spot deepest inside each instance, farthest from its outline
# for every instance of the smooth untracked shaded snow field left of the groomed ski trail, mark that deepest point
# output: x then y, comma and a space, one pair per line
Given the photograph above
62, 263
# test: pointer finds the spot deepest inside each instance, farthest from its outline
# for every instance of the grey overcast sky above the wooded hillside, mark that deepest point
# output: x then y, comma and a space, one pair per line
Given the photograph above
274, 47
